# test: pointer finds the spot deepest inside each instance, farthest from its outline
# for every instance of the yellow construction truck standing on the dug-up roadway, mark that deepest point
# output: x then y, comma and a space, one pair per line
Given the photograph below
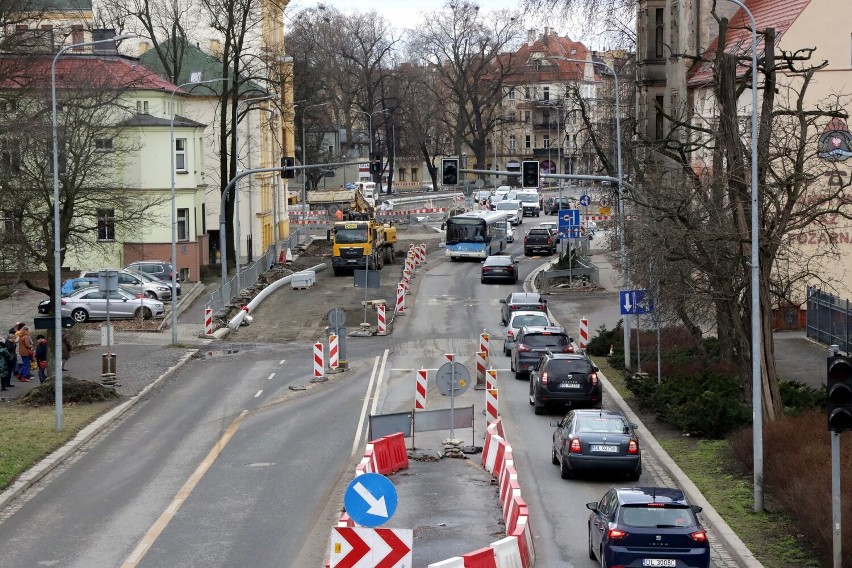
360, 241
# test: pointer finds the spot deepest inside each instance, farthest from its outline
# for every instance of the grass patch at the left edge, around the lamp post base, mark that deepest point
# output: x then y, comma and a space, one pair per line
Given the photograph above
30, 433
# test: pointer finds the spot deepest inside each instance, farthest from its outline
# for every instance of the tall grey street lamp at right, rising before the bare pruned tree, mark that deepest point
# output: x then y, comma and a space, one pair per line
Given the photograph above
756, 379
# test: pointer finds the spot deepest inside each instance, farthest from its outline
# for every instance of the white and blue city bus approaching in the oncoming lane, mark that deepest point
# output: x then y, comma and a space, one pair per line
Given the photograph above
476, 234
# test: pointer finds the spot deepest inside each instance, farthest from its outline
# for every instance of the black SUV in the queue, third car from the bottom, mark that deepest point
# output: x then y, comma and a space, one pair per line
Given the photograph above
564, 378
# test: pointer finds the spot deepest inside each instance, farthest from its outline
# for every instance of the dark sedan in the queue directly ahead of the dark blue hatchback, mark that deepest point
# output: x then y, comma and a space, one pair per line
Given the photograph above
595, 440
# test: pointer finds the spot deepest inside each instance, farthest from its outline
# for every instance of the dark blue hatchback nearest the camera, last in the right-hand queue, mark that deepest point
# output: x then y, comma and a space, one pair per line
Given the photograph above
647, 527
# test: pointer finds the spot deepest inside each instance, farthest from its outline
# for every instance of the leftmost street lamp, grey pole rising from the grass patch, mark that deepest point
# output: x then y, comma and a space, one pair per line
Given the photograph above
57, 250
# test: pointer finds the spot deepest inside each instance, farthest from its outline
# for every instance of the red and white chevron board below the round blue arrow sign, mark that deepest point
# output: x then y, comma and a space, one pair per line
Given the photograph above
371, 548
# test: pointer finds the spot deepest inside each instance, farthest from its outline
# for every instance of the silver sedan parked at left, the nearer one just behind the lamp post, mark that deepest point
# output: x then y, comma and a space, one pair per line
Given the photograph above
91, 304
